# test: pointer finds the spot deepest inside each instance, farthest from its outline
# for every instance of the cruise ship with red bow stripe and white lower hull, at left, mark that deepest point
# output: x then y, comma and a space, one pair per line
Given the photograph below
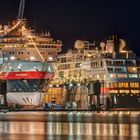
26, 62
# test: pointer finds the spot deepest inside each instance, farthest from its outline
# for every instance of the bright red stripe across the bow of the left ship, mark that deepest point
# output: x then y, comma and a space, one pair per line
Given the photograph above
25, 75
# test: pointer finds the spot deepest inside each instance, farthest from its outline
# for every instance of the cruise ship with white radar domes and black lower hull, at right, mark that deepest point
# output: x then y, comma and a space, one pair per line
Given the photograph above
110, 62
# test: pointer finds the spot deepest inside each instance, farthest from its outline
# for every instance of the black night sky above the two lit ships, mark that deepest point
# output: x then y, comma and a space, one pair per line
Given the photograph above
70, 20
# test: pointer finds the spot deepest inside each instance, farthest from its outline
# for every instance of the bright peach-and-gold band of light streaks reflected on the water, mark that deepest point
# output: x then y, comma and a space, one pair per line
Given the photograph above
70, 129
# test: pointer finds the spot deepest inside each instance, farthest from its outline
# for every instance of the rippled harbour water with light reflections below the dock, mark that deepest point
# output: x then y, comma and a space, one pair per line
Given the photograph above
70, 126
